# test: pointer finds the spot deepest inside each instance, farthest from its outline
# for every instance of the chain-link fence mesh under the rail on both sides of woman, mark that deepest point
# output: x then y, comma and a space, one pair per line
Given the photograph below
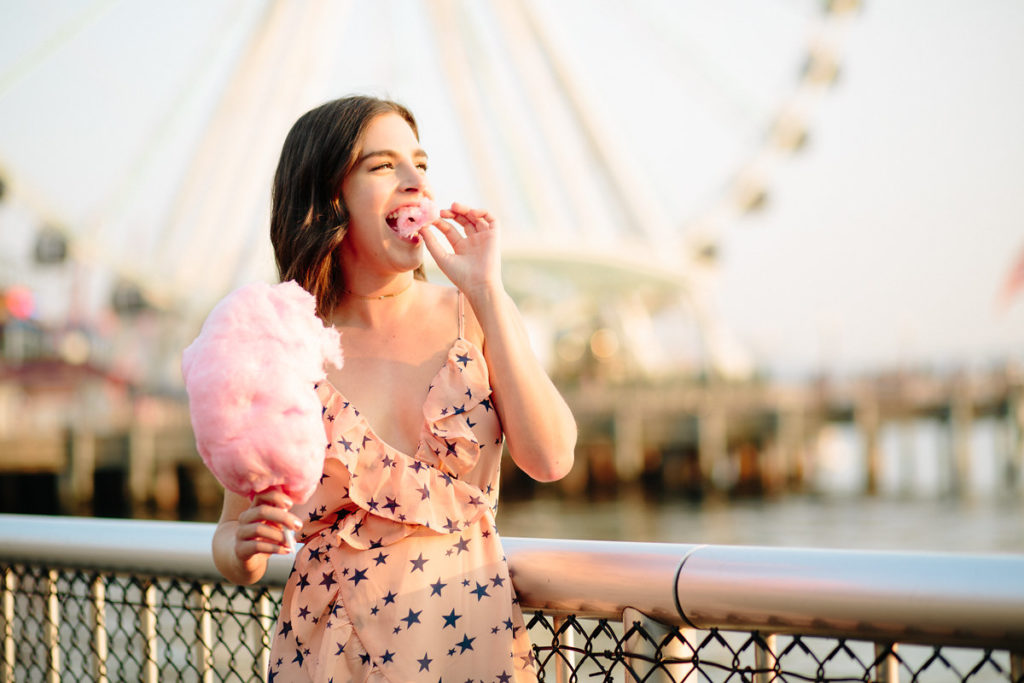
74, 625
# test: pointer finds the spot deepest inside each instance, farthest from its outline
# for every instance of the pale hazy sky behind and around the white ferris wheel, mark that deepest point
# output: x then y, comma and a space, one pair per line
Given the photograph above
883, 243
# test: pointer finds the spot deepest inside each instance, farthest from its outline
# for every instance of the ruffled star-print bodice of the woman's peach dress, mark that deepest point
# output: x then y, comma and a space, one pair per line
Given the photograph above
392, 495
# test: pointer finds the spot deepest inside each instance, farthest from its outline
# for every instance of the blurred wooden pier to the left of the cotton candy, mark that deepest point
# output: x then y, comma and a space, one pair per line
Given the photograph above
77, 440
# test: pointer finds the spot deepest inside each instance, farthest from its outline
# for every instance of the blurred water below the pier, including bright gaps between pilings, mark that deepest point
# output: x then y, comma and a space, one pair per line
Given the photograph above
914, 511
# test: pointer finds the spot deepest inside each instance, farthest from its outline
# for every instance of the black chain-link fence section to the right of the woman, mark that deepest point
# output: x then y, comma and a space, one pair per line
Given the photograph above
604, 651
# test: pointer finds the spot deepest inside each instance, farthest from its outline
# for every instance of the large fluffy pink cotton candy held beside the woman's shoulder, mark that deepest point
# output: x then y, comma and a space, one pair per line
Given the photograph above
250, 377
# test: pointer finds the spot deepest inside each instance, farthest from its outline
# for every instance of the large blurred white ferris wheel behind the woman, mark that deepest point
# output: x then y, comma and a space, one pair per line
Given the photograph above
617, 142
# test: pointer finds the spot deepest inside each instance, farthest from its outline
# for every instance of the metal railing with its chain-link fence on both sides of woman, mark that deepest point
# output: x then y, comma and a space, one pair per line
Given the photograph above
120, 601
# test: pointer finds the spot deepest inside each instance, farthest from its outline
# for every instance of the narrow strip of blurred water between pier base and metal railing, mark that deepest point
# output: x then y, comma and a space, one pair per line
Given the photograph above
862, 524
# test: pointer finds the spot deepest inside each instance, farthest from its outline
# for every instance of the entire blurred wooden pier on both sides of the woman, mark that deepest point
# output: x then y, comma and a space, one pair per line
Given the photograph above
112, 449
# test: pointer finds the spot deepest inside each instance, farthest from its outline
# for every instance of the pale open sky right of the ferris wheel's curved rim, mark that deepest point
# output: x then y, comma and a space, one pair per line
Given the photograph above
887, 242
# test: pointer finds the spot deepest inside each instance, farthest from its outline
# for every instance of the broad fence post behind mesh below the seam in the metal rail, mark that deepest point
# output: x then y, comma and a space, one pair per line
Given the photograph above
650, 647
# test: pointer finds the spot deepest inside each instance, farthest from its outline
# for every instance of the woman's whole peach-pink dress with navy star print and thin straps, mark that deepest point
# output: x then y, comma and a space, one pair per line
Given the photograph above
403, 577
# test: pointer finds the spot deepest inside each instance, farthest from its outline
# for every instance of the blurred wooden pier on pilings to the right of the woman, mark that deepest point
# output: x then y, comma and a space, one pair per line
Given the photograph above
766, 433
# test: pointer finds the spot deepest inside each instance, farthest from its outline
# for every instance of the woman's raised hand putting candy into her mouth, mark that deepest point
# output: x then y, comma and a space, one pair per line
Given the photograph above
475, 263
